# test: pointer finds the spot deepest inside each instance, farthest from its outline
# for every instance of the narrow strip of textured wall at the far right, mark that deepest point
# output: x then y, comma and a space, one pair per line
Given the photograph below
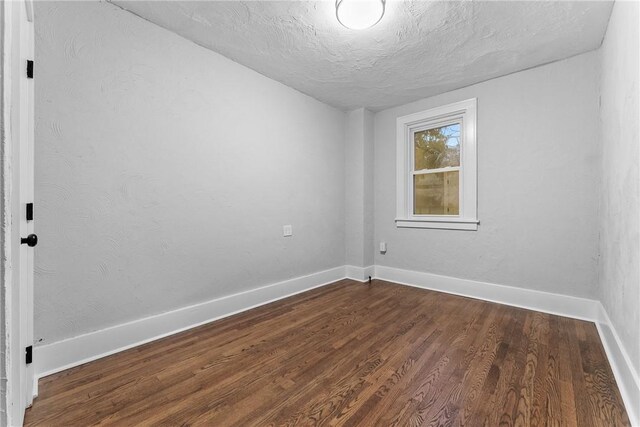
620, 204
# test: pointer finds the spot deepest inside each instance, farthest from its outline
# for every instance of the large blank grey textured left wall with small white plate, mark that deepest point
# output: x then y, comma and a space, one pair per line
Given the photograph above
164, 173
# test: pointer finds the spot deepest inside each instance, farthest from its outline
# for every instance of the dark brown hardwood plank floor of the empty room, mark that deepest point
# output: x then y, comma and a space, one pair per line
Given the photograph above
351, 354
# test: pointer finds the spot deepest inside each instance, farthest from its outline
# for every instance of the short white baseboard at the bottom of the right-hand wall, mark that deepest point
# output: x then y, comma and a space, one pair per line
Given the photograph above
622, 366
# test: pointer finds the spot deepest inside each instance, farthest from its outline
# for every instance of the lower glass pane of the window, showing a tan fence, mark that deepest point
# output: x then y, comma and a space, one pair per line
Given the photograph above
436, 193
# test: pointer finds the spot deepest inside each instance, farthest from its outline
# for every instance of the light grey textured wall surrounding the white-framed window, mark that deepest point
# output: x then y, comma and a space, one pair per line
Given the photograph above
538, 178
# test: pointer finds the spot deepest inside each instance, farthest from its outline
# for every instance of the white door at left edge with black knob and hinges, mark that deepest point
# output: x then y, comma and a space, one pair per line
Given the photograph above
18, 242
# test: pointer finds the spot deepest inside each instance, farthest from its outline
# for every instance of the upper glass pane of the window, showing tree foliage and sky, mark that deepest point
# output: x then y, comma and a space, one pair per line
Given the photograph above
437, 148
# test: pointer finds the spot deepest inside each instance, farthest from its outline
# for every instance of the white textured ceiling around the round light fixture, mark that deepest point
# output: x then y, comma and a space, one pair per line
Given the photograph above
418, 49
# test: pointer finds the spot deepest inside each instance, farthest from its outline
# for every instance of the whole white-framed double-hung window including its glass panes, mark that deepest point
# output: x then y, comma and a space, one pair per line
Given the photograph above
436, 155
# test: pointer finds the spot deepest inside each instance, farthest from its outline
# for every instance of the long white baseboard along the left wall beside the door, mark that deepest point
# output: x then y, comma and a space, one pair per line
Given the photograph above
61, 355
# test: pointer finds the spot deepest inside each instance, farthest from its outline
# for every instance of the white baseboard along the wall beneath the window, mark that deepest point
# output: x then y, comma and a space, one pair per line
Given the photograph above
546, 302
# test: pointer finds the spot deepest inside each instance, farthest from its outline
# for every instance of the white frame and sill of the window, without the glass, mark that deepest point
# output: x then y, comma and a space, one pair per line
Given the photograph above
465, 113
